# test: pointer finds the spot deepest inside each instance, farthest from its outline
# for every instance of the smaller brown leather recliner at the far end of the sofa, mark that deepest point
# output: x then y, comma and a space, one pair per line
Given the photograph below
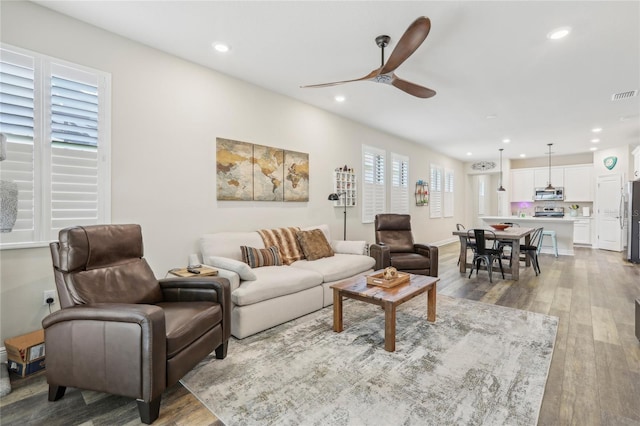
395, 247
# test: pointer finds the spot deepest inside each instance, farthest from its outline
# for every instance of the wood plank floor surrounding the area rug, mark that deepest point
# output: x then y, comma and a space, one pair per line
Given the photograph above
594, 377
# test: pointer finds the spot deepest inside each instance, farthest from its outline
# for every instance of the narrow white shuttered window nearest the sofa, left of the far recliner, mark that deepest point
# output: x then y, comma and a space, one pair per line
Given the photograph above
373, 183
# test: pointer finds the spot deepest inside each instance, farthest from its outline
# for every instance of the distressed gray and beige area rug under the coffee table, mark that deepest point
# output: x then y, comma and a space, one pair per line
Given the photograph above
479, 364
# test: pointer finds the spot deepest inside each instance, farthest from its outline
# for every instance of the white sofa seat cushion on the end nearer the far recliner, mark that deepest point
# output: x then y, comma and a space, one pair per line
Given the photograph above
337, 267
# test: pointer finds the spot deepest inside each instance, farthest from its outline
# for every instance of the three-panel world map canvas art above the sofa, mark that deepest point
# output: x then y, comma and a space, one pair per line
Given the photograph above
247, 172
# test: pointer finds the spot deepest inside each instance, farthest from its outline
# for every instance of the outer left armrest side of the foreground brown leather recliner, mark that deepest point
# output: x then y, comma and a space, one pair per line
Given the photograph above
108, 347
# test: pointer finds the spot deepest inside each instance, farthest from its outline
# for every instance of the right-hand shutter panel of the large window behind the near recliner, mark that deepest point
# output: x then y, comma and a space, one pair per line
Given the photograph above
74, 148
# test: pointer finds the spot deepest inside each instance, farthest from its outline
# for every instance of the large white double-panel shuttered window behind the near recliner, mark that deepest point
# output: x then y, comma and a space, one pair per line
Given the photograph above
55, 116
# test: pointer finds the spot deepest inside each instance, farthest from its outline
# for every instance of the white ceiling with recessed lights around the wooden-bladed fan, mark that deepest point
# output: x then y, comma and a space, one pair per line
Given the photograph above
482, 58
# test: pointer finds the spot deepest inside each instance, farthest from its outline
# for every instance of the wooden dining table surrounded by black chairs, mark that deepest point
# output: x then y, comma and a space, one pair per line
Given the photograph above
512, 234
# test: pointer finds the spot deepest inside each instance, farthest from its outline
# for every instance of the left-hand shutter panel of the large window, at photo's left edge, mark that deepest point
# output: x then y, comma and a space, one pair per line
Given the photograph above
17, 95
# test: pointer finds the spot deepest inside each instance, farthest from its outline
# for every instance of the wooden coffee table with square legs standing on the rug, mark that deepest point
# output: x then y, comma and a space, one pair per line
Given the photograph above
388, 298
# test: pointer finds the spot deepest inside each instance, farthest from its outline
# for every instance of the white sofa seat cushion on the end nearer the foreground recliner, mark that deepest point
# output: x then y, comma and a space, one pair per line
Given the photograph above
275, 281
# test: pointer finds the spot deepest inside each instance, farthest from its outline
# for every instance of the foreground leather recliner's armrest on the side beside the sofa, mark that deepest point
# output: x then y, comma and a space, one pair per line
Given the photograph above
191, 289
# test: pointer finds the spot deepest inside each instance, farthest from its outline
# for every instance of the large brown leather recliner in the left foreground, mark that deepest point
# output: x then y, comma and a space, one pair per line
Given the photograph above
120, 330
